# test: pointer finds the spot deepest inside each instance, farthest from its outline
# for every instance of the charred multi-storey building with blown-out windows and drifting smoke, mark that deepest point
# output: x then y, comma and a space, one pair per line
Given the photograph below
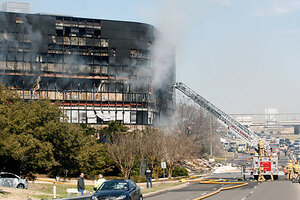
98, 70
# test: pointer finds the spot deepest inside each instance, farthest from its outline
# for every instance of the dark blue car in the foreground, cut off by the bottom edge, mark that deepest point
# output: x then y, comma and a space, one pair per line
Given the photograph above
118, 190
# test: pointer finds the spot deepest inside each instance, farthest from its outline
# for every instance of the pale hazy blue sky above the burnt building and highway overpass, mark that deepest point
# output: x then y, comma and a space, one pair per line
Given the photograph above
243, 55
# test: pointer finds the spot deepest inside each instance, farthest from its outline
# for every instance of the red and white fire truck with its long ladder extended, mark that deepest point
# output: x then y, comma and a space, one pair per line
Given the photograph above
269, 161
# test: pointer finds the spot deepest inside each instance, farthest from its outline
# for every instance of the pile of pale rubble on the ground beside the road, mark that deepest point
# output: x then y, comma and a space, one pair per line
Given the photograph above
196, 166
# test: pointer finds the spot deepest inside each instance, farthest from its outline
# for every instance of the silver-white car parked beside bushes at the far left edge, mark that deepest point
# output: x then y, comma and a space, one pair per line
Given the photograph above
12, 180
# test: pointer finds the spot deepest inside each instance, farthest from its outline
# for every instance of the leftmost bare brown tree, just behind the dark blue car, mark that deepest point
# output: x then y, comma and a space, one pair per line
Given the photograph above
123, 152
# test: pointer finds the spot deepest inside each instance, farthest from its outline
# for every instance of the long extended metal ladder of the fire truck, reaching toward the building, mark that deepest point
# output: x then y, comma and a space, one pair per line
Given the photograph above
238, 129
